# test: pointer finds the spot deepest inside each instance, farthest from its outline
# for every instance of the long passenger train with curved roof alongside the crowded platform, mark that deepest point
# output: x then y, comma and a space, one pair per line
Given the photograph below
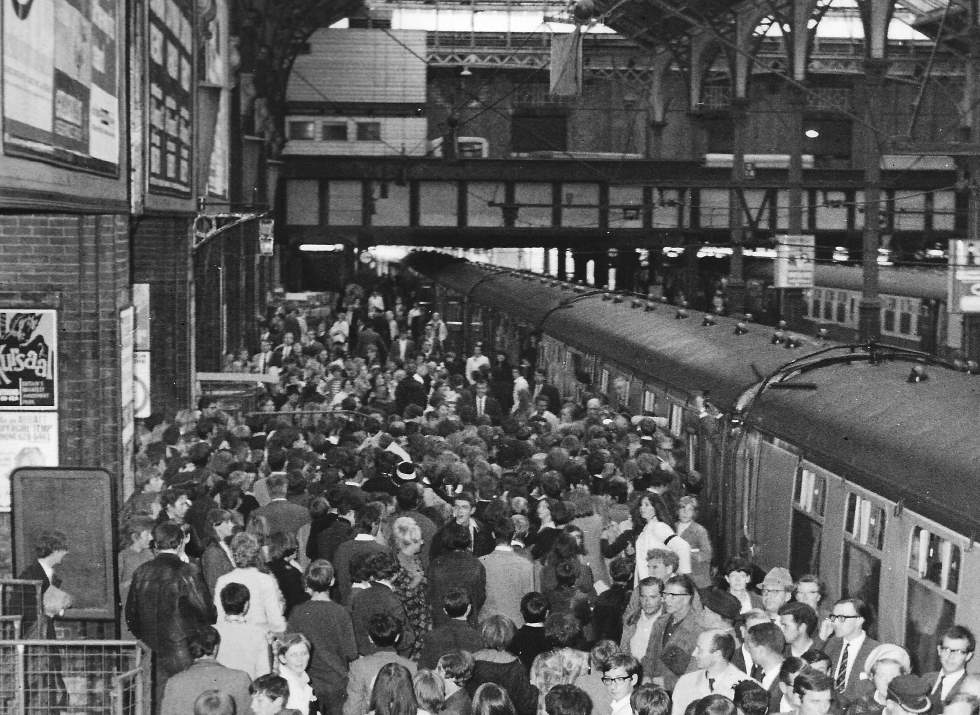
863, 477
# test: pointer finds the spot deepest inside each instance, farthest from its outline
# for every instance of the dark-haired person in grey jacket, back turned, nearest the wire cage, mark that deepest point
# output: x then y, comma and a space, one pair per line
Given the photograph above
205, 673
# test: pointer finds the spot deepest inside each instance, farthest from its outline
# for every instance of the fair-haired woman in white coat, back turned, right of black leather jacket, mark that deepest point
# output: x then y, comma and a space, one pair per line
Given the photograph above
266, 603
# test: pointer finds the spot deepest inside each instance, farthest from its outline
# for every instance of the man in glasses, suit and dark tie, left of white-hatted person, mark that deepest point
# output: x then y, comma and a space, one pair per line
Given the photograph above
849, 646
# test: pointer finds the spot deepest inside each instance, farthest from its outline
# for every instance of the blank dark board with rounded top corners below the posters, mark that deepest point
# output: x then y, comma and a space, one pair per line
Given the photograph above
77, 502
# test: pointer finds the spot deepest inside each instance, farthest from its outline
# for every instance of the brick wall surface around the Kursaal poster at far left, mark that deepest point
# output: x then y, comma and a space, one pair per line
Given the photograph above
78, 264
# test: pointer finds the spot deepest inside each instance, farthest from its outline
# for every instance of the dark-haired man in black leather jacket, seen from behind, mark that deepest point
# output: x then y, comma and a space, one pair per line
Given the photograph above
167, 604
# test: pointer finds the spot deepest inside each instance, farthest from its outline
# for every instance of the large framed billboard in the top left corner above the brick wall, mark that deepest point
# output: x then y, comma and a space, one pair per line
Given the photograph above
61, 82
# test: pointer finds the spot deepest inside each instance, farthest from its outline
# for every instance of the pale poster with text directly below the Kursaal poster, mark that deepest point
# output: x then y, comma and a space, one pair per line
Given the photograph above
27, 439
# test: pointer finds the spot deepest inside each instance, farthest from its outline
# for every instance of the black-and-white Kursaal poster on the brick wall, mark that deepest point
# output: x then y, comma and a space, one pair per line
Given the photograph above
28, 359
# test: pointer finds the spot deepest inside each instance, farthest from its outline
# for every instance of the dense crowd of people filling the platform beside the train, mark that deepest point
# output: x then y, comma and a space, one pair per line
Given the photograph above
401, 531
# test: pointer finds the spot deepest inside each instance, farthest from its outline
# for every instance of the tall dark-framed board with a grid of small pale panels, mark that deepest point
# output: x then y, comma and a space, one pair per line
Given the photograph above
171, 36
